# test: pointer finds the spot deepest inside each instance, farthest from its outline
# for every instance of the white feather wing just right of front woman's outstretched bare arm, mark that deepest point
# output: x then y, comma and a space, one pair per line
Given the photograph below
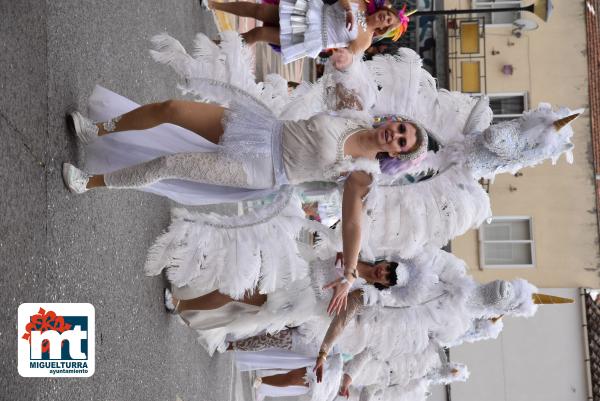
429, 213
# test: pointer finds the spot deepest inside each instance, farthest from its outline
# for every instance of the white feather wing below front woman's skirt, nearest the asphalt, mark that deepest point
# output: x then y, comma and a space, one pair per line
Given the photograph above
233, 254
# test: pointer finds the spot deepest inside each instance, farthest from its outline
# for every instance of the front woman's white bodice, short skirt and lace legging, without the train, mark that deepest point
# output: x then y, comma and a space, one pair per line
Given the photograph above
256, 151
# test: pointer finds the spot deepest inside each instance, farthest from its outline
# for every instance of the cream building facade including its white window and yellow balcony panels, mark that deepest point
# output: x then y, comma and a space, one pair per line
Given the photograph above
545, 225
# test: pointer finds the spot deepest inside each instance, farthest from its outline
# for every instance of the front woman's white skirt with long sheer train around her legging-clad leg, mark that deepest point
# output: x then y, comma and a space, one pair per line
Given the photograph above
252, 138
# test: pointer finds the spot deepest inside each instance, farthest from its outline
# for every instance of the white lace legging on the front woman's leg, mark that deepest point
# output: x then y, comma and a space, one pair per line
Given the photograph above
209, 168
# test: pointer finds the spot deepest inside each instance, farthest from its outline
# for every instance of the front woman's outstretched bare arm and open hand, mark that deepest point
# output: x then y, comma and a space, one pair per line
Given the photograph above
356, 188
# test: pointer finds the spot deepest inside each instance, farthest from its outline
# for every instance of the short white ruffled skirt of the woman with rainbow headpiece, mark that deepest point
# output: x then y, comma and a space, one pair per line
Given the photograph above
301, 29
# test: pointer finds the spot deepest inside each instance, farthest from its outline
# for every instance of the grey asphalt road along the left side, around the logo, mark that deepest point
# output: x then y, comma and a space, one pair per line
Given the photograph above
59, 247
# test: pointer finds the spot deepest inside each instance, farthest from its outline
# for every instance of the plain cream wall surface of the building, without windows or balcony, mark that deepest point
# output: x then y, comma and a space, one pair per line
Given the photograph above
550, 65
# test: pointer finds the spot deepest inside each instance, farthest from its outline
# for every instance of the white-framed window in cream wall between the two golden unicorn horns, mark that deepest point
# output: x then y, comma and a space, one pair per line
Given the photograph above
506, 242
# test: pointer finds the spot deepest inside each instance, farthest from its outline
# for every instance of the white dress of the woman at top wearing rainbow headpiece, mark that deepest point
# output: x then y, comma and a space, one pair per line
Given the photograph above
308, 27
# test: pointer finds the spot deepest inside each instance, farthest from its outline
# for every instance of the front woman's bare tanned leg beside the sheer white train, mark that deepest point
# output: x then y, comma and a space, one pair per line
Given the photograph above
202, 118
